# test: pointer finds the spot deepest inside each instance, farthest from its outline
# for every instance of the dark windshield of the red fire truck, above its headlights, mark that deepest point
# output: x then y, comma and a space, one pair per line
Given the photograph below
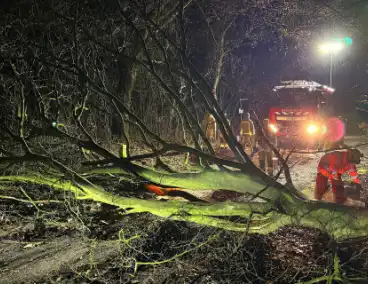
295, 98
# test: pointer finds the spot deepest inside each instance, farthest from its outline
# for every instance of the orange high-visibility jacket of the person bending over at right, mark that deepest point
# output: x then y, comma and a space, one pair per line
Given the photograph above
334, 164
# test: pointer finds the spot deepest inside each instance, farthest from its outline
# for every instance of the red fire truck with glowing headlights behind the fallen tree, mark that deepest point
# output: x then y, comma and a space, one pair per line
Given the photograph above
298, 112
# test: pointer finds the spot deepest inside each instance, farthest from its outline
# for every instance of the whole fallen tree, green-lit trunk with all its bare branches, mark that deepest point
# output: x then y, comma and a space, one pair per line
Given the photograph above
51, 93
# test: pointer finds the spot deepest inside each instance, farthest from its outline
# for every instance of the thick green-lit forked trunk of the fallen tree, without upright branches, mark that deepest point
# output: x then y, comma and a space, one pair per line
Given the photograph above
277, 207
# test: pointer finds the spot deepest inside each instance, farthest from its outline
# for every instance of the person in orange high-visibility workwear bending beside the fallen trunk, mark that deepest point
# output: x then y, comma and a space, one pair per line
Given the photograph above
331, 167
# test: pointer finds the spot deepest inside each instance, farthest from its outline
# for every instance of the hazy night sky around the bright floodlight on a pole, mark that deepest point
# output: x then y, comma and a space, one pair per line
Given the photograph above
278, 57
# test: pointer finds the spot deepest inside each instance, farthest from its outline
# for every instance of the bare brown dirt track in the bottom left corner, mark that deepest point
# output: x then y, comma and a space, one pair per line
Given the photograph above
24, 262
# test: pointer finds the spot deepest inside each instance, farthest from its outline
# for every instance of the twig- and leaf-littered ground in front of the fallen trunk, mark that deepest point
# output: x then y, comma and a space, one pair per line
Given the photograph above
172, 252
